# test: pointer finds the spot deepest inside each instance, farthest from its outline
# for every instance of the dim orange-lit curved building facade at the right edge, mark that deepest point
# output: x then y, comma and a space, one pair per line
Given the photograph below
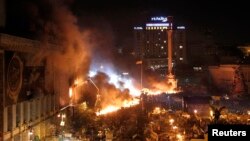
231, 79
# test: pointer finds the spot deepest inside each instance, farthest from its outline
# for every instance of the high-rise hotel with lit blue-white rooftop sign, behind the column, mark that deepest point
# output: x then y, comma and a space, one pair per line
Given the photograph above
151, 44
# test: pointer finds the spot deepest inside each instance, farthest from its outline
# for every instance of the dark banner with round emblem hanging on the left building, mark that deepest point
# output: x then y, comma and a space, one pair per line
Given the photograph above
22, 82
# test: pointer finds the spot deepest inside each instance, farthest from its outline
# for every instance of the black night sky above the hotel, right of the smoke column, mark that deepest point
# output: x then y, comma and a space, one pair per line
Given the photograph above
228, 22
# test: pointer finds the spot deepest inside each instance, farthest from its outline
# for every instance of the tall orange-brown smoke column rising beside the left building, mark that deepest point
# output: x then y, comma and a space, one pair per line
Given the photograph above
65, 47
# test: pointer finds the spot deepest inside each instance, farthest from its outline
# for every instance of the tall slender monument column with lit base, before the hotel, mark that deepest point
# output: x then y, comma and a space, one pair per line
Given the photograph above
171, 81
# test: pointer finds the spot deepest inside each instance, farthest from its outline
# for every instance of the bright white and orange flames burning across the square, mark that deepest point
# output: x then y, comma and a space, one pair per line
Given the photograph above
127, 83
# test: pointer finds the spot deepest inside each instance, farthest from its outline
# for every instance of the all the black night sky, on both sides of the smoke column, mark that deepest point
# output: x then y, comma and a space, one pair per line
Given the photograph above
227, 23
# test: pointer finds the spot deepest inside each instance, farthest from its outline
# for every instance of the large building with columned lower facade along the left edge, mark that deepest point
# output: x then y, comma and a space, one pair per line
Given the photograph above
28, 104
